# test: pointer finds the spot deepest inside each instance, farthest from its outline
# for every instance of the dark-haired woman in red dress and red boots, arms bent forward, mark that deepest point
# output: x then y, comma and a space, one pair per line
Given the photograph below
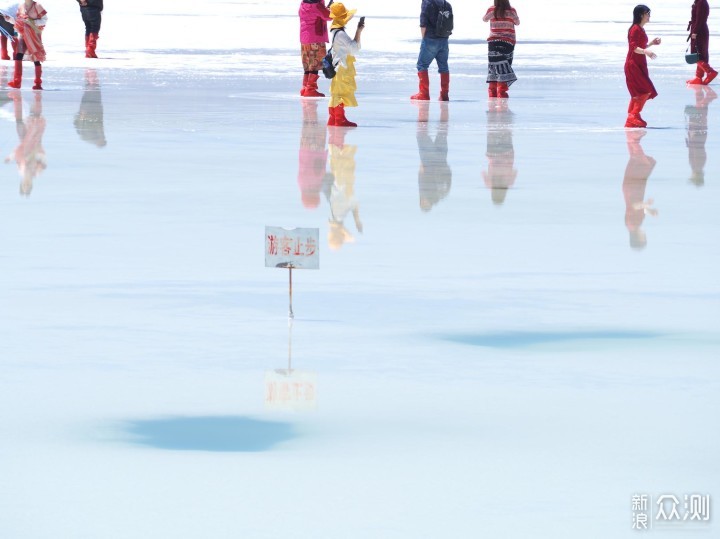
636, 73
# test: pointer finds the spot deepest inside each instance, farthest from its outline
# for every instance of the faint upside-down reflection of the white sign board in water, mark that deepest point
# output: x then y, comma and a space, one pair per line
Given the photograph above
290, 390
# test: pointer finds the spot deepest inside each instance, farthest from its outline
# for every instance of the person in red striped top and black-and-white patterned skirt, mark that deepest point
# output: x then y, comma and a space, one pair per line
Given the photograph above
501, 46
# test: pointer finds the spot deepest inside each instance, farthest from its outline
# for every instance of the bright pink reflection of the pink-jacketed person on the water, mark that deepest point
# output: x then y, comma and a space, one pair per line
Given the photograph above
312, 158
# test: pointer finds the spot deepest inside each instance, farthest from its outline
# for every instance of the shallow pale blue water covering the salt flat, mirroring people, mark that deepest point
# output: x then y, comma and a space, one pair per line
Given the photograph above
513, 327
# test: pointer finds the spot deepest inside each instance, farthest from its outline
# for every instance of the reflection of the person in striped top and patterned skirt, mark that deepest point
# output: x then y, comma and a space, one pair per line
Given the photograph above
500, 175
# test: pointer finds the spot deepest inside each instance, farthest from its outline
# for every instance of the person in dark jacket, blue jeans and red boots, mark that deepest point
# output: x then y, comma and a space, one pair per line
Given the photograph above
433, 47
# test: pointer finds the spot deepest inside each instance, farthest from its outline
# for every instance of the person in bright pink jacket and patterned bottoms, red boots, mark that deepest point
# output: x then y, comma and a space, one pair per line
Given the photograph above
313, 36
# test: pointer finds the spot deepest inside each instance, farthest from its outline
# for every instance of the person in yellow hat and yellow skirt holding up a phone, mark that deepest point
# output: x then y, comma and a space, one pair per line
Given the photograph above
344, 49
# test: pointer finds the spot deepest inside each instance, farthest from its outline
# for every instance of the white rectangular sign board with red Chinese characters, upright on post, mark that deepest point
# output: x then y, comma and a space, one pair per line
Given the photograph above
292, 248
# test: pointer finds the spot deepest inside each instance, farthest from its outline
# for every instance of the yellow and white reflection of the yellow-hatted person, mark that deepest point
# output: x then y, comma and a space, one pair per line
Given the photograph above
339, 188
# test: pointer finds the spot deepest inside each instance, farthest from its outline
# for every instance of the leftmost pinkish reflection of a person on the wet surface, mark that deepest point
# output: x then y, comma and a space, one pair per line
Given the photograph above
29, 155
